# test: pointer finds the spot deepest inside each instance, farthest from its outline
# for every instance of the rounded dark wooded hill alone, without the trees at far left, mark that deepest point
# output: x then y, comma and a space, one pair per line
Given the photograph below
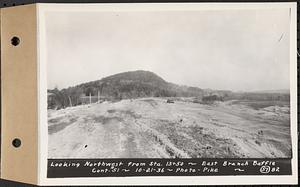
135, 84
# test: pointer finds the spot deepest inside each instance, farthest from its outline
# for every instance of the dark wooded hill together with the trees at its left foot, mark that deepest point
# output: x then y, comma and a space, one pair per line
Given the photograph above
132, 84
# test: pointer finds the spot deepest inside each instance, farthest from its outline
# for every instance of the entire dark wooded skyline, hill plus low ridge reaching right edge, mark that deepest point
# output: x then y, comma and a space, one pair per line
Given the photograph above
136, 84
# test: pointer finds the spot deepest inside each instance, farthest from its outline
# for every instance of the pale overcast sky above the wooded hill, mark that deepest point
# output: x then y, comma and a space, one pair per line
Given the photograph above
240, 50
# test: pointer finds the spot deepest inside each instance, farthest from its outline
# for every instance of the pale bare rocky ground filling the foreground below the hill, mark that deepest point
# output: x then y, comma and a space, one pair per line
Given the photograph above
153, 128
